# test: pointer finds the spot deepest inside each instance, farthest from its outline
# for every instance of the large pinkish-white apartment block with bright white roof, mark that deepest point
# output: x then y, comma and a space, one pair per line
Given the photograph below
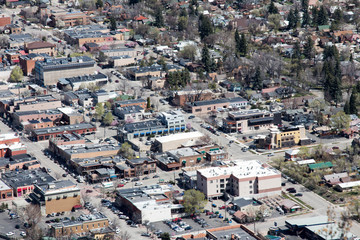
245, 179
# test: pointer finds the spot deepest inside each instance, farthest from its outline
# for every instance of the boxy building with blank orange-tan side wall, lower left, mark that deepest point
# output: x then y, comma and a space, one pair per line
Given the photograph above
56, 197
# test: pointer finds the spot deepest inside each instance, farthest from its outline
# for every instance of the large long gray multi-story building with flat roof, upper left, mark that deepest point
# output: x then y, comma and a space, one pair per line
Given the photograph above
49, 71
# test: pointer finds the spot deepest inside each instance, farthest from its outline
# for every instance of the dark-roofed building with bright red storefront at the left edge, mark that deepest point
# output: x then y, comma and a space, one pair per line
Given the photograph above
23, 181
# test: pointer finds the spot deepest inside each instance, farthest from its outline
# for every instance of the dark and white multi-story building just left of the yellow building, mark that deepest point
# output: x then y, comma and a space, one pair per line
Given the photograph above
250, 120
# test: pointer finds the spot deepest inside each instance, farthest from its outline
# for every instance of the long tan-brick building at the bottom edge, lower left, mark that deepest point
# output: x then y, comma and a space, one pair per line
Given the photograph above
84, 224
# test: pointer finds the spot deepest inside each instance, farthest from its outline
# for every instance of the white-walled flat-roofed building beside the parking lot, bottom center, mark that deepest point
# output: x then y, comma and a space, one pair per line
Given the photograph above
148, 203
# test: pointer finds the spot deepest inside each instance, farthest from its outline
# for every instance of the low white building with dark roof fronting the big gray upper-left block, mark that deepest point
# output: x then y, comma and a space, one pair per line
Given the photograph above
74, 83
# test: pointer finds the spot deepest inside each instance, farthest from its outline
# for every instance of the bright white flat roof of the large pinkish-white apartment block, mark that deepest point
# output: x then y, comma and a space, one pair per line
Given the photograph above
242, 169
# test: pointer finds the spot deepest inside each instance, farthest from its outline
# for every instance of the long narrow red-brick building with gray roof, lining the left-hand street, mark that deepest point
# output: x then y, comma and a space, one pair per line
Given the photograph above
47, 133
